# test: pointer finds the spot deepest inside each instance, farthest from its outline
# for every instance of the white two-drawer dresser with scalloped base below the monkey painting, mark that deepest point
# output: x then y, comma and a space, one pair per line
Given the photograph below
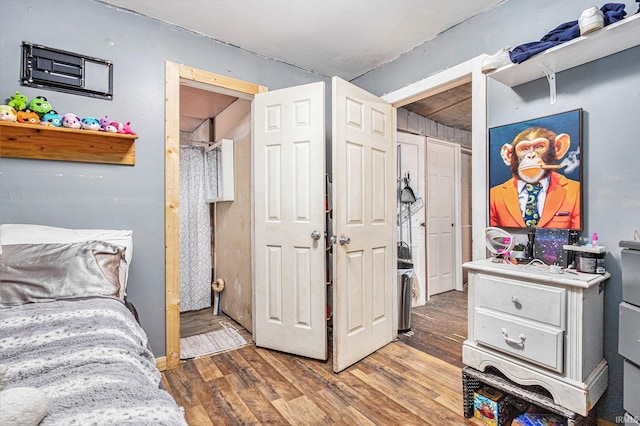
538, 328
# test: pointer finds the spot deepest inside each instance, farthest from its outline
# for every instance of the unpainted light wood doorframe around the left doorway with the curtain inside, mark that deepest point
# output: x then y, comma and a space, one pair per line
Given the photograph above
176, 75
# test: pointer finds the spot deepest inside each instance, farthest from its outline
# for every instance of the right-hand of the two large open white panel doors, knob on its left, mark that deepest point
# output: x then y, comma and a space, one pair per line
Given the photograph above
364, 191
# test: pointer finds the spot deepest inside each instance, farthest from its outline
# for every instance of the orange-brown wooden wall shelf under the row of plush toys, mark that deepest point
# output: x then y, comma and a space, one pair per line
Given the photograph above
58, 143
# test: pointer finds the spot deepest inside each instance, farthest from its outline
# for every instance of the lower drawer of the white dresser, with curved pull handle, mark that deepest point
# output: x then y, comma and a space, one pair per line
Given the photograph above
537, 343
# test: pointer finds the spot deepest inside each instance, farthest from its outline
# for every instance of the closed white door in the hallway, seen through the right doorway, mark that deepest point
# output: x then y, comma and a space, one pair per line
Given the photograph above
442, 215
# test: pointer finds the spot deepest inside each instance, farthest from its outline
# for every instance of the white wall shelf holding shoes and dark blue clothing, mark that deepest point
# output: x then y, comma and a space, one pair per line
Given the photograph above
611, 39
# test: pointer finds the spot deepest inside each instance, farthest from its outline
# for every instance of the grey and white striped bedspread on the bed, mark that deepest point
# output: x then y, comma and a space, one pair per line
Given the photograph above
90, 357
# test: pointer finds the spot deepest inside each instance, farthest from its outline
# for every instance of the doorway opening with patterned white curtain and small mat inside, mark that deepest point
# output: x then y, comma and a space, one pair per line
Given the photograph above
214, 224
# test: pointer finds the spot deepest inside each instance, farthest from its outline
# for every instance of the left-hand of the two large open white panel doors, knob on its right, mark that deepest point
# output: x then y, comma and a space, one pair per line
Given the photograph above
289, 221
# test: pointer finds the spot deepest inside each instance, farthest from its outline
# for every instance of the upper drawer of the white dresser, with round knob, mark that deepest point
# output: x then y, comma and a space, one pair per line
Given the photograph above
537, 302
